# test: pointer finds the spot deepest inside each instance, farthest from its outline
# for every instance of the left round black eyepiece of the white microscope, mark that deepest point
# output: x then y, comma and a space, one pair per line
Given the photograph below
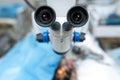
45, 16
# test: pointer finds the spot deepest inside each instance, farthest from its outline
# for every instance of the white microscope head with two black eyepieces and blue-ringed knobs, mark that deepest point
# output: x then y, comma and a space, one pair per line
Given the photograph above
59, 30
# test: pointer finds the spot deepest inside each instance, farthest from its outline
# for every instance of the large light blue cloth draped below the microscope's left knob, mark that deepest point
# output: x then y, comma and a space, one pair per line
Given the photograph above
29, 60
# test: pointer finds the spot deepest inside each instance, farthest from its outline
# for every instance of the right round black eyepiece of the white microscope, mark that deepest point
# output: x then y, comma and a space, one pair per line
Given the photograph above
77, 16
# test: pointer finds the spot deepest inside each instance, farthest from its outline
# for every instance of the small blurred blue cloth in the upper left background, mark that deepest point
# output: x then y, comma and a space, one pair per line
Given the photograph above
9, 10
